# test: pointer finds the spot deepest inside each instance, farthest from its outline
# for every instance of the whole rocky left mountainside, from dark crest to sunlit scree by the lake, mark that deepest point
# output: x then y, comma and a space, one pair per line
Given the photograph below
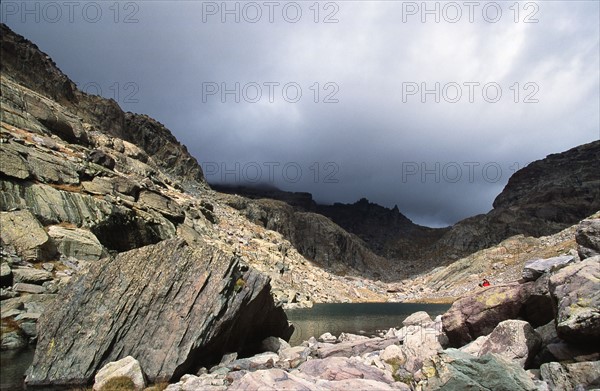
66, 163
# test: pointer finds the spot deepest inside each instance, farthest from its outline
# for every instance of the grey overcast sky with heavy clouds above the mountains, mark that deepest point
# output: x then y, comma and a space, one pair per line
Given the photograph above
338, 108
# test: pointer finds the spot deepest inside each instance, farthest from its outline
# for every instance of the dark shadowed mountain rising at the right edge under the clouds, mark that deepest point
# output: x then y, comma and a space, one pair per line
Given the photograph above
542, 198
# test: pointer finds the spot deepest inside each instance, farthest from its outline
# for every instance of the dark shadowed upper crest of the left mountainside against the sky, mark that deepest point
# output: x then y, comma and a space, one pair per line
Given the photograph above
24, 64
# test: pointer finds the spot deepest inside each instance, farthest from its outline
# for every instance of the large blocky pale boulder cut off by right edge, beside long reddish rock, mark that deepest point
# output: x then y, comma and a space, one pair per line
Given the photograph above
576, 292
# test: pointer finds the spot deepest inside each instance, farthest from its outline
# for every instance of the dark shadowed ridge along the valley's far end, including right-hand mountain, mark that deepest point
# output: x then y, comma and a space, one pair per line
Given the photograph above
541, 199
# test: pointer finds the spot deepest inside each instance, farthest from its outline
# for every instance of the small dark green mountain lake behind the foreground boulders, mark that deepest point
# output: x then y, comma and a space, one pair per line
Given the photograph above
355, 318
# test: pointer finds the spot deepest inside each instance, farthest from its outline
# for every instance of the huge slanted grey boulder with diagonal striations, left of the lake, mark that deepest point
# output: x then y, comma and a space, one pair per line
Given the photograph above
174, 307
